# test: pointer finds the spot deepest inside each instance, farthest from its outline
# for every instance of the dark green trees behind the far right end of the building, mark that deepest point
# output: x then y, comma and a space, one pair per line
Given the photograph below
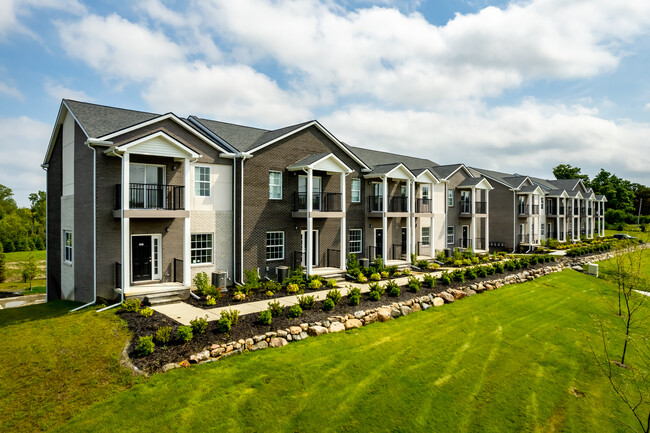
623, 196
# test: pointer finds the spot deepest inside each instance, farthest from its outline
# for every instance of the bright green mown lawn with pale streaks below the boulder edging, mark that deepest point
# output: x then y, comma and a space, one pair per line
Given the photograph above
504, 361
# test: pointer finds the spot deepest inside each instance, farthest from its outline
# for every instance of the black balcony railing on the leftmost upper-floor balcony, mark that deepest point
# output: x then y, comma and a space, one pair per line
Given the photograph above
152, 196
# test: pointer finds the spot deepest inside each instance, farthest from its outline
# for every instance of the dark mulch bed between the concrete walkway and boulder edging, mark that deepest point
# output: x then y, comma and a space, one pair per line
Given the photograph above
175, 351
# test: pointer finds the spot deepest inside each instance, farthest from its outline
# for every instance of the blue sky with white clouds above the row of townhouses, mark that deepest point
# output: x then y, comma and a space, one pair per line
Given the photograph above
518, 86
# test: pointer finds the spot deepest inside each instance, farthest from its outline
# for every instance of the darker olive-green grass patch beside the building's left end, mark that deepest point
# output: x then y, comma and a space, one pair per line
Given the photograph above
54, 364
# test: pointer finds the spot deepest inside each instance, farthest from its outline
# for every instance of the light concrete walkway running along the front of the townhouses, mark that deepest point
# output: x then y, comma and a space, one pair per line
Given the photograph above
183, 312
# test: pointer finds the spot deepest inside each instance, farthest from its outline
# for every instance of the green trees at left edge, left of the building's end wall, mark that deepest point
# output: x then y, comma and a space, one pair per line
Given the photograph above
22, 229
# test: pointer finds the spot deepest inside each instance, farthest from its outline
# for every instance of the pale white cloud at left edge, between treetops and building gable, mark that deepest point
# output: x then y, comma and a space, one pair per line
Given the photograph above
27, 138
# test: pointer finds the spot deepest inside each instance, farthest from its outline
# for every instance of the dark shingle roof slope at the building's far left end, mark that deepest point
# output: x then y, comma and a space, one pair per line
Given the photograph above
100, 120
